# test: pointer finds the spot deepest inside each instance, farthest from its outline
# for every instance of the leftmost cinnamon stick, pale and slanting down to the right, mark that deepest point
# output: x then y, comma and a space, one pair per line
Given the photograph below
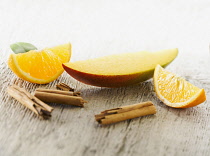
30, 101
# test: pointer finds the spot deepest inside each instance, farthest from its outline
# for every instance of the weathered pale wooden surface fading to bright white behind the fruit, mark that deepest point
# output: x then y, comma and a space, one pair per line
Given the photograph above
98, 28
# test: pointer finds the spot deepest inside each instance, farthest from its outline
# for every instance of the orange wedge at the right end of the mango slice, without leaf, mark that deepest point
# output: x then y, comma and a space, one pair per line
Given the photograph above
176, 92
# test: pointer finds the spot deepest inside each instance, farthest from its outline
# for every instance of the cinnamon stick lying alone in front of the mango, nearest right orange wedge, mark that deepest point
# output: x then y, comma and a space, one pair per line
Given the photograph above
125, 112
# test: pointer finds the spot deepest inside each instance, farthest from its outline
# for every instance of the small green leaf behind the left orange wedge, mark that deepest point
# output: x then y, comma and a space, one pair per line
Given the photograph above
22, 47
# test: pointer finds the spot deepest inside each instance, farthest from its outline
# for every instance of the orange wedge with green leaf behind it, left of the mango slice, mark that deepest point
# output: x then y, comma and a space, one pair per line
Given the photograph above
41, 66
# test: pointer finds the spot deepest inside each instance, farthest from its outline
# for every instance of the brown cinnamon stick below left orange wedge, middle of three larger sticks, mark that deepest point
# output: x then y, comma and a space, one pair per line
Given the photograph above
61, 97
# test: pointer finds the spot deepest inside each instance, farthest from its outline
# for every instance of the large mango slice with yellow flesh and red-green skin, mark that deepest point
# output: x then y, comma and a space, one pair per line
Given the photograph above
120, 69
